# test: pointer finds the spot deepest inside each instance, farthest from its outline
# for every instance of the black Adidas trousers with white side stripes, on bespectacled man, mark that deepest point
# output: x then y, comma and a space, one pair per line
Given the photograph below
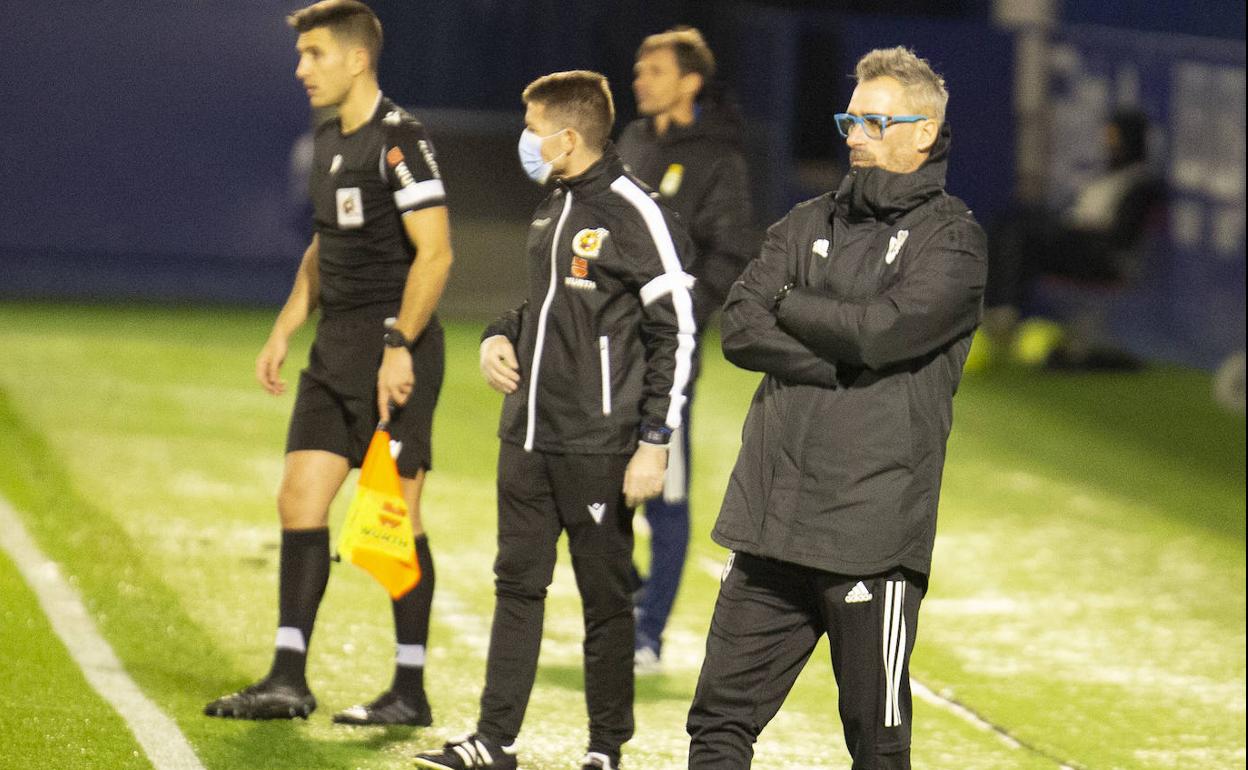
768, 620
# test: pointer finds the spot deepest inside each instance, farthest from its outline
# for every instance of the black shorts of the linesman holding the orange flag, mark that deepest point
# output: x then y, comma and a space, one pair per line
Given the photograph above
336, 407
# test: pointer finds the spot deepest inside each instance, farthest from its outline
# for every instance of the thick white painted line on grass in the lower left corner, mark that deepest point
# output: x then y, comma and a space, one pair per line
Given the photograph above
157, 733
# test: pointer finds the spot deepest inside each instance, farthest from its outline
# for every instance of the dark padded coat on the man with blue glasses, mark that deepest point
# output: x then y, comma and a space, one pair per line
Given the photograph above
844, 446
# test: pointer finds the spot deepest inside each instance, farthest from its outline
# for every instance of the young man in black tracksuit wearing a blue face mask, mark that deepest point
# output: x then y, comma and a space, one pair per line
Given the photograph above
595, 366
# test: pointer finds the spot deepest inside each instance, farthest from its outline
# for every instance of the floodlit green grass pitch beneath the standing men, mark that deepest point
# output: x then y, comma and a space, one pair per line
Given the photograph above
1088, 596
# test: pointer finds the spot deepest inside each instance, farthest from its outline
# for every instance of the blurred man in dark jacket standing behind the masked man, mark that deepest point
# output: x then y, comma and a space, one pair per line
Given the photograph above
687, 148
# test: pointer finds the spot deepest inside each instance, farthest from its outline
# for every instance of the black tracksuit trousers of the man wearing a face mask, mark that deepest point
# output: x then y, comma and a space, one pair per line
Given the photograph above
540, 496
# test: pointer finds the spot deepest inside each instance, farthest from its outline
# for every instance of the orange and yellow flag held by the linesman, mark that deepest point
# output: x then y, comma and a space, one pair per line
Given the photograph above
378, 536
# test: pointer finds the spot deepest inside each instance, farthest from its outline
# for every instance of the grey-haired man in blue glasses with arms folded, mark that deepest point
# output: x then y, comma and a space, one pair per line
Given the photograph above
860, 311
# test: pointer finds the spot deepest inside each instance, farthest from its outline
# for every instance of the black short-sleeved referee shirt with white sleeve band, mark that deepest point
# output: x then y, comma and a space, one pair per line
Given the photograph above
361, 187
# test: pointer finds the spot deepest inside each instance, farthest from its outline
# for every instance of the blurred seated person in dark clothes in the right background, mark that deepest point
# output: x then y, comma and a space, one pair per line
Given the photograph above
1095, 240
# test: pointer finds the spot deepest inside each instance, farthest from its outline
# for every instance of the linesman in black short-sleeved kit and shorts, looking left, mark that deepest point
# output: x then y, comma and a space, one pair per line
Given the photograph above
376, 269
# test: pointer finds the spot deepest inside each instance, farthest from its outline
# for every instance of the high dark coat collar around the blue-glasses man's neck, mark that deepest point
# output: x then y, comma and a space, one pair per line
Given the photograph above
887, 197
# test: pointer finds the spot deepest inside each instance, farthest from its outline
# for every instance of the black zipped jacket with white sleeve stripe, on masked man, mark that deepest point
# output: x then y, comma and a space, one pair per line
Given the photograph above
607, 336
